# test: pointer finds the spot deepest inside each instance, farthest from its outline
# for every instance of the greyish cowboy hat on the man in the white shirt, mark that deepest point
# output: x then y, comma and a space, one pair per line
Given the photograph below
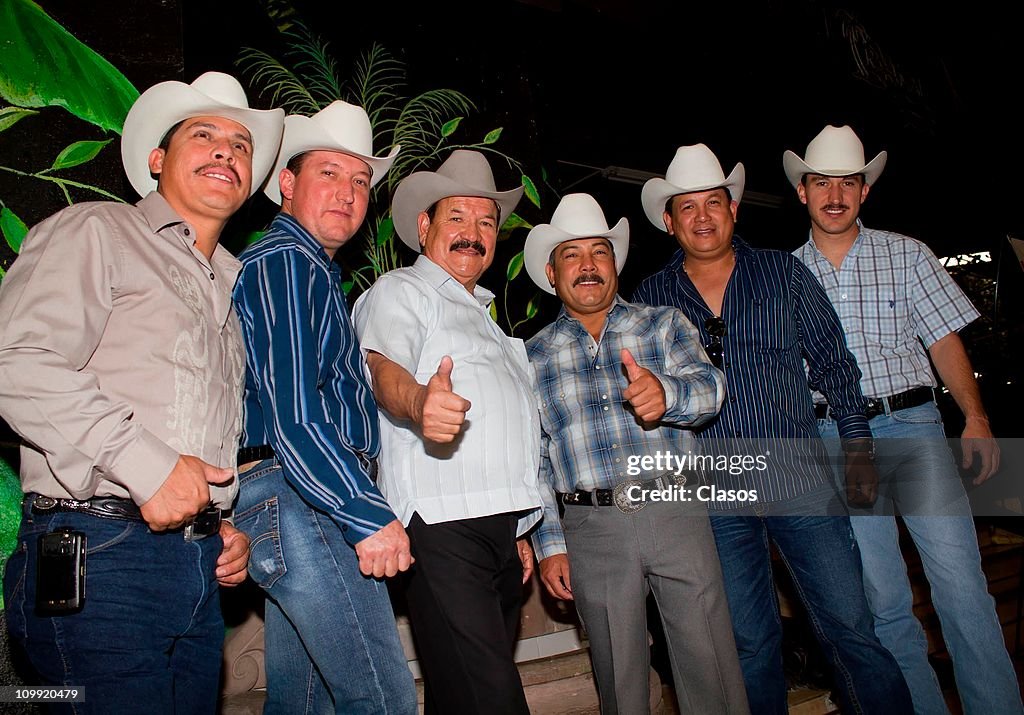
464, 174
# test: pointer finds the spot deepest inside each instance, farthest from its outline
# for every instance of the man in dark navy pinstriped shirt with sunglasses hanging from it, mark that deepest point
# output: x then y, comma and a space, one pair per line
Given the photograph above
762, 315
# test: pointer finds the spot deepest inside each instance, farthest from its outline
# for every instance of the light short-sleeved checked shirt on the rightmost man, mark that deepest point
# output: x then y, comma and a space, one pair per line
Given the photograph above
890, 291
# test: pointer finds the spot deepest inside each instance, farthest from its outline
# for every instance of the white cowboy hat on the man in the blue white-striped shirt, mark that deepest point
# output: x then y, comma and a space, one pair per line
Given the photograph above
338, 128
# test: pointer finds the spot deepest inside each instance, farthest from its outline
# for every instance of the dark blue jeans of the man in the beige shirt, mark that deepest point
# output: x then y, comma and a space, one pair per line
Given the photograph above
151, 632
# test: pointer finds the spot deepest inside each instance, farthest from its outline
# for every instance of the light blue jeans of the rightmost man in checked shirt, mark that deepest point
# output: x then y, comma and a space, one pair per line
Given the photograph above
911, 444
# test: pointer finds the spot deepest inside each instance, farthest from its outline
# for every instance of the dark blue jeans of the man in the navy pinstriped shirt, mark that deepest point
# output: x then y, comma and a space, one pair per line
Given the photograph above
822, 557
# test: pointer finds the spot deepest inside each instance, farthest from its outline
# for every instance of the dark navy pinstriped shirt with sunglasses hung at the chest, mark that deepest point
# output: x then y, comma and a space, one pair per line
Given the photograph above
777, 317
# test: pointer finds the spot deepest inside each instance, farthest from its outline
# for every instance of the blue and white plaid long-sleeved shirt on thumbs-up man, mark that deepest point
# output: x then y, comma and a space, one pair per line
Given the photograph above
588, 434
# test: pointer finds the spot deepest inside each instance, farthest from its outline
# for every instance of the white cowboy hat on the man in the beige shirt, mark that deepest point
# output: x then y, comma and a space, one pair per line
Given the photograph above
215, 95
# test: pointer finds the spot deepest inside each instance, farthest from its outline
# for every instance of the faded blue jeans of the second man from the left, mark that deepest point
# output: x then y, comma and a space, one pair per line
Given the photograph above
332, 645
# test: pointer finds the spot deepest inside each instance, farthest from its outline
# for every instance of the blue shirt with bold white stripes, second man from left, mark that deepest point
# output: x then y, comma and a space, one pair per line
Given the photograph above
307, 395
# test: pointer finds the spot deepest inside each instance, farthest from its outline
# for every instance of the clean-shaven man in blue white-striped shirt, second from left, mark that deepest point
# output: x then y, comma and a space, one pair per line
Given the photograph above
311, 437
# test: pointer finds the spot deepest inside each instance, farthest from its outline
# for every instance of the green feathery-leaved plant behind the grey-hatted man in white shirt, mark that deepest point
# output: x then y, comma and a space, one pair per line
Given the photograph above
426, 125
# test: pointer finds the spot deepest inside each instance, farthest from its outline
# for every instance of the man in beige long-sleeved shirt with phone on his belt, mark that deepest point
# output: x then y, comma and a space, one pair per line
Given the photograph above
122, 368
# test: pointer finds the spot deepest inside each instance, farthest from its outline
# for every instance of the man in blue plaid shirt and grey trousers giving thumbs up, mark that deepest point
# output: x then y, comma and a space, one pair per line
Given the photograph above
630, 376
